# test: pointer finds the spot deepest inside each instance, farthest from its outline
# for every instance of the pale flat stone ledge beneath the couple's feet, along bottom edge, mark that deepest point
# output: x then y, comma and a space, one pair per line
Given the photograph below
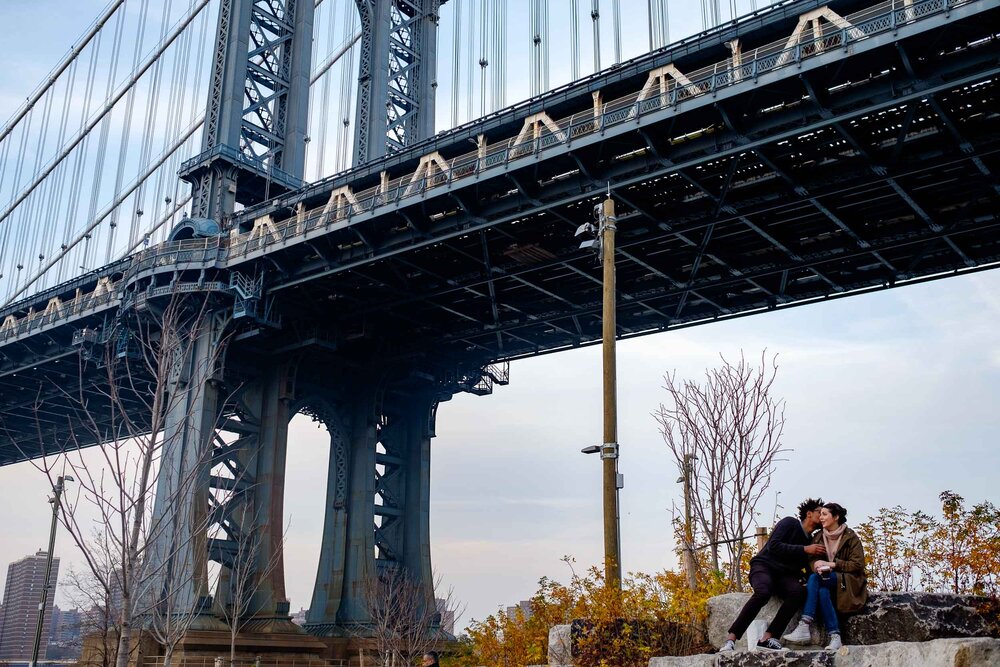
977, 652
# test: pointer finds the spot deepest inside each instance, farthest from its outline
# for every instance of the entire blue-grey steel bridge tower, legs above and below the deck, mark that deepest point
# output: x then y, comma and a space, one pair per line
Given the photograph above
380, 421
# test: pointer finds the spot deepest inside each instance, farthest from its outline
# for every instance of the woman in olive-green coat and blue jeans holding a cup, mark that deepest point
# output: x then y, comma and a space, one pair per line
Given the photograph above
838, 581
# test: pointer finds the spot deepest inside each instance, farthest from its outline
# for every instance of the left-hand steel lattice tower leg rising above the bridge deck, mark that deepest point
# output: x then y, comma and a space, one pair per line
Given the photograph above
256, 119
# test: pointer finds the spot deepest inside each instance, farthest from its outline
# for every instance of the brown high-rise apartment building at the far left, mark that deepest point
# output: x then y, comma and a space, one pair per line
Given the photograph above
21, 595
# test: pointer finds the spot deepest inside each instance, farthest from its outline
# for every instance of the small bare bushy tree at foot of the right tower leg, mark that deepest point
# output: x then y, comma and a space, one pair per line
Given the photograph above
405, 623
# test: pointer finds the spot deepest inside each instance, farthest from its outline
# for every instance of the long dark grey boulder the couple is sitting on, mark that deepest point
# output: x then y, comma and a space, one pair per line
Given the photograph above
888, 617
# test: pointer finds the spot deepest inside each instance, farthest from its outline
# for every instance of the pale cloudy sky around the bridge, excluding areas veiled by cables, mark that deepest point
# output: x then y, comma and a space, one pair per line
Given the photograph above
891, 399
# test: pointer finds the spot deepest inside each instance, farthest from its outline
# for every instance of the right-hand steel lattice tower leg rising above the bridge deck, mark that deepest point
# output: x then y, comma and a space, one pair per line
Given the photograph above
397, 78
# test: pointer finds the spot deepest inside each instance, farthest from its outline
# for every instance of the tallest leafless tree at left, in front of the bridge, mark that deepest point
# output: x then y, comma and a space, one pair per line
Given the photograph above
136, 392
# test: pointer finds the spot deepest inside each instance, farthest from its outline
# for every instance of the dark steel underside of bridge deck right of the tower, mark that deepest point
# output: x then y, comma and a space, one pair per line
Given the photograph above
842, 179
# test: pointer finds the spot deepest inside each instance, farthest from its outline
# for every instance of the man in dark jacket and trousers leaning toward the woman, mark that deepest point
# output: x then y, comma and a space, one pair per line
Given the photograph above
778, 570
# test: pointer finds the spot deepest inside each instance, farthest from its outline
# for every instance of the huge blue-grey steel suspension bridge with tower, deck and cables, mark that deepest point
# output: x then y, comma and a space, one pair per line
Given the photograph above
804, 151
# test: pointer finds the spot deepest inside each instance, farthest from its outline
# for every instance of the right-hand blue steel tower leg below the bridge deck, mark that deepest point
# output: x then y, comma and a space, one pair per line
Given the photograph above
377, 503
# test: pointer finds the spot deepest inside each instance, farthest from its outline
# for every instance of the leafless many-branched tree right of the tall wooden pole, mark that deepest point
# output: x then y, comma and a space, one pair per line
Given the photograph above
725, 433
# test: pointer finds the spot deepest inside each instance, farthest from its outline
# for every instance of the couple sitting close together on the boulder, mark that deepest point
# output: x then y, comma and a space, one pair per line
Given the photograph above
835, 559
